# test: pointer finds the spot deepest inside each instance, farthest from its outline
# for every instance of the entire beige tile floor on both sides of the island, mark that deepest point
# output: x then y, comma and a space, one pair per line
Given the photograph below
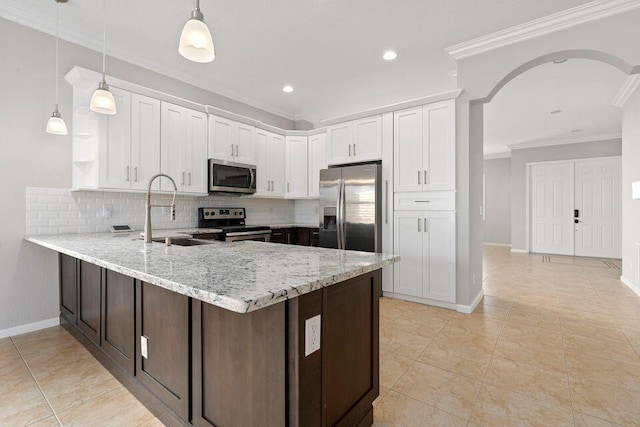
552, 344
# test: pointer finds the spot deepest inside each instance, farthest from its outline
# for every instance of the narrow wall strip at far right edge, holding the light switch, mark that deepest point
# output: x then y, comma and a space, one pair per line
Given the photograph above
630, 173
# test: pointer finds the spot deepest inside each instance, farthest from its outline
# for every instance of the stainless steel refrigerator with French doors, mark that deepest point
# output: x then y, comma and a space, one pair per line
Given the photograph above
350, 208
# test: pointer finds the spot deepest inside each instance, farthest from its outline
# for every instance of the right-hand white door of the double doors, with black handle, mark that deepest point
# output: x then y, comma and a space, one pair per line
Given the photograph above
598, 203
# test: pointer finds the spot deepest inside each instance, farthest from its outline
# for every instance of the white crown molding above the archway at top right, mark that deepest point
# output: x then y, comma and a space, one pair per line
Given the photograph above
539, 27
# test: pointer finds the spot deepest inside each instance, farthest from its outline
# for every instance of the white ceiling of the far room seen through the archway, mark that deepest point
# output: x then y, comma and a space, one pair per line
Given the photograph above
583, 89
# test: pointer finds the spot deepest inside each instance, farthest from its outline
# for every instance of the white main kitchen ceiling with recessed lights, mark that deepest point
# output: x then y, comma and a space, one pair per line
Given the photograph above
329, 50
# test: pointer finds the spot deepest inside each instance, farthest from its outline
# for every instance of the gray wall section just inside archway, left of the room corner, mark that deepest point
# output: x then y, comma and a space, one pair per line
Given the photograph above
497, 223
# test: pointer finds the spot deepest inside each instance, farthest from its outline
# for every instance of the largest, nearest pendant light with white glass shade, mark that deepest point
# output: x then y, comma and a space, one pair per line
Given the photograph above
196, 43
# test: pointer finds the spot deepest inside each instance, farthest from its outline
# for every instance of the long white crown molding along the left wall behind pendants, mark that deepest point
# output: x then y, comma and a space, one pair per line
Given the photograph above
41, 24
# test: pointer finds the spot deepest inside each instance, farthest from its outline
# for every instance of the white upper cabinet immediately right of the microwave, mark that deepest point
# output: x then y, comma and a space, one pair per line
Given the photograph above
270, 163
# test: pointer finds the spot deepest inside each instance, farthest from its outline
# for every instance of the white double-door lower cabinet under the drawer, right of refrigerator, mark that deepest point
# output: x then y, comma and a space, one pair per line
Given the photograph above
425, 242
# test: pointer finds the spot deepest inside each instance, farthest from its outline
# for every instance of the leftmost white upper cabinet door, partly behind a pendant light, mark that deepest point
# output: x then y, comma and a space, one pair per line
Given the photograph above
114, 169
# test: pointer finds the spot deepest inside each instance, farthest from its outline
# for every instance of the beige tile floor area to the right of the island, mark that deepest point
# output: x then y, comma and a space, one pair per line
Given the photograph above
552, 344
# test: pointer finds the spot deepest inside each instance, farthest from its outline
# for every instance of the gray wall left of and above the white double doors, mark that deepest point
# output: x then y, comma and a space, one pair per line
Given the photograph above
519, 160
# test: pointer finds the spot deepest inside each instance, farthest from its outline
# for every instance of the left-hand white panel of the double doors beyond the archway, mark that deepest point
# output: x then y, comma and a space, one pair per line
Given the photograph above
552, 208
